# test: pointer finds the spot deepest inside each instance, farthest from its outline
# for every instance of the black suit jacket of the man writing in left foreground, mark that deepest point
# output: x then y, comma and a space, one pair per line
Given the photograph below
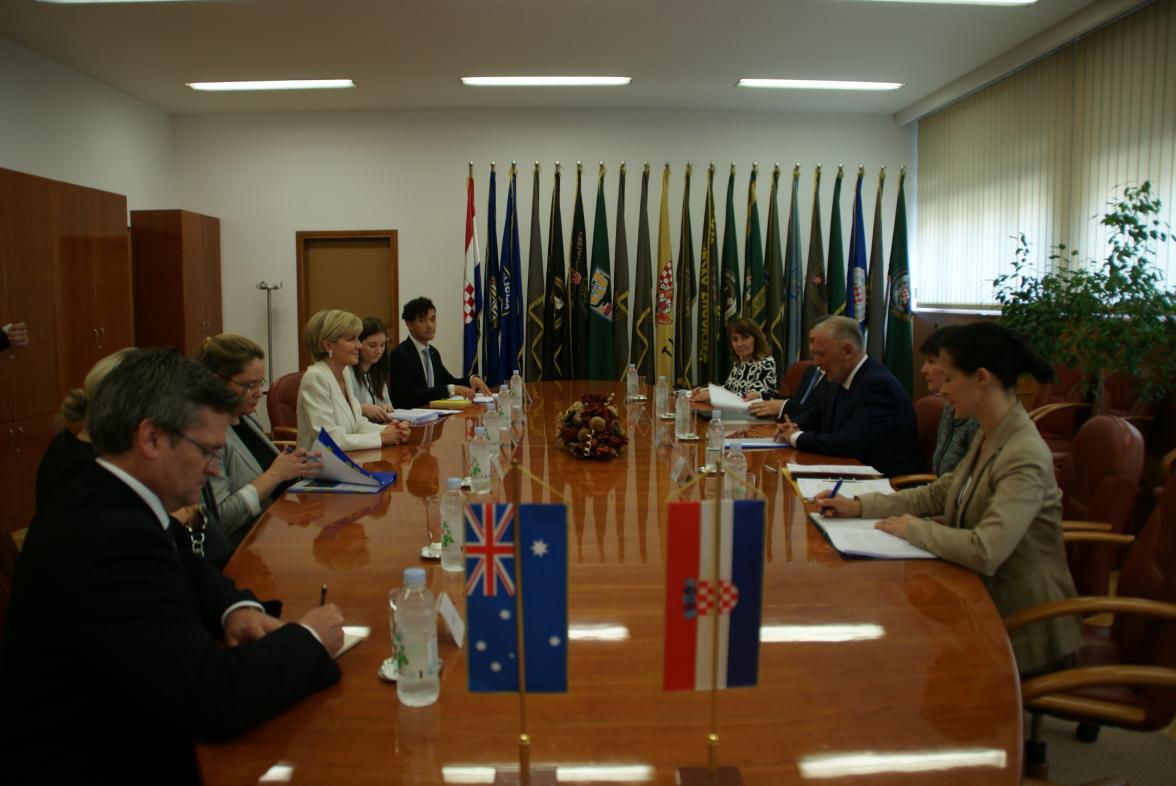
111, 662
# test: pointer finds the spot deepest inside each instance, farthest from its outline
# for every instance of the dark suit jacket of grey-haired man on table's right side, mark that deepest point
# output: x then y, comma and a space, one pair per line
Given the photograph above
873, 422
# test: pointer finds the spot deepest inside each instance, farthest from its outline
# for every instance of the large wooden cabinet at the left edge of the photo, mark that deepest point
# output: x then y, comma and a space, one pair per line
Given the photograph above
65, 271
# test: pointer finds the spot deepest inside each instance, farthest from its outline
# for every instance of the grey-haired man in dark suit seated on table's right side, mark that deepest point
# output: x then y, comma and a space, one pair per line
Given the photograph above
866, 415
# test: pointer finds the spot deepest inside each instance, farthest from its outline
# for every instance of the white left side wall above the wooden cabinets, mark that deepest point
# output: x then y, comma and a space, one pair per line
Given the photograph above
58, 124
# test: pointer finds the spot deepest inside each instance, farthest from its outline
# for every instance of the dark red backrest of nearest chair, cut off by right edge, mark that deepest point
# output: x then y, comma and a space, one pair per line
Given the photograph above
1151, 572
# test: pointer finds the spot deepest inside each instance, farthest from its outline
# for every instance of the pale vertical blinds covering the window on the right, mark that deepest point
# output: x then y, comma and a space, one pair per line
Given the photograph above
1041, 154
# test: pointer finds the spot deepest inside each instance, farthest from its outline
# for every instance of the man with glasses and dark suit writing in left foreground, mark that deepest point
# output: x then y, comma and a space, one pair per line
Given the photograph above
122, 648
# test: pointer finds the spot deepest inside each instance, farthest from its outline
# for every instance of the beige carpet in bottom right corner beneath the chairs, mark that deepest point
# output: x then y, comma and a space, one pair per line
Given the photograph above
1144, 760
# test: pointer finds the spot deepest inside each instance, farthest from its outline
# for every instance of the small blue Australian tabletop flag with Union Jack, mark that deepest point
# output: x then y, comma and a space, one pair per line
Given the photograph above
492, 597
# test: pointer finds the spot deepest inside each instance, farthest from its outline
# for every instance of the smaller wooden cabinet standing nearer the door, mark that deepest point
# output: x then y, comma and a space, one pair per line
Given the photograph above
177, 278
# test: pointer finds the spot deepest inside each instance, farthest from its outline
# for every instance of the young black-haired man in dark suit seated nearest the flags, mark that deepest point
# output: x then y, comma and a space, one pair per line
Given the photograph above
417, 375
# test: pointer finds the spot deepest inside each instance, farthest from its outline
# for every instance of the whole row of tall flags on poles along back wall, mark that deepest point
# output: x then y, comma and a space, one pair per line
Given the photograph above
576, 319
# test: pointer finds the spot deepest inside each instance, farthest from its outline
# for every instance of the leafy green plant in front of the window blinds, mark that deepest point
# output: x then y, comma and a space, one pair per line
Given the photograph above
1107, 317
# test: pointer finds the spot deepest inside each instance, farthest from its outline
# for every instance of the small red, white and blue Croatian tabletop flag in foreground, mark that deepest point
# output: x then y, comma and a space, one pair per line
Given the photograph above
697, 601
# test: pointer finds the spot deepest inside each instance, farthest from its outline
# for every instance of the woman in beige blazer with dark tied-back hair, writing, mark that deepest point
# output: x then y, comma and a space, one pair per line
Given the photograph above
1001, 507
